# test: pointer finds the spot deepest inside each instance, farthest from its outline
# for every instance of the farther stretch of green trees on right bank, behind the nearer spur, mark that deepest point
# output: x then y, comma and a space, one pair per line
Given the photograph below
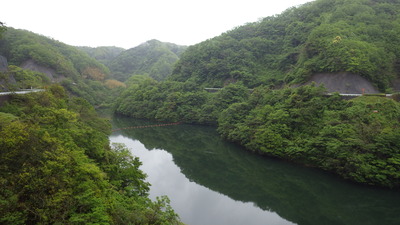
176, 101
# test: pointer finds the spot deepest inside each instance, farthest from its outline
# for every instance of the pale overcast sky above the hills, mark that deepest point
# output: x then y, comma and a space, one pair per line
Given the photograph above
128, 23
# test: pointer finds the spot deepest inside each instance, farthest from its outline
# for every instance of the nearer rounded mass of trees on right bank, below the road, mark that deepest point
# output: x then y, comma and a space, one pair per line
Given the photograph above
356, 139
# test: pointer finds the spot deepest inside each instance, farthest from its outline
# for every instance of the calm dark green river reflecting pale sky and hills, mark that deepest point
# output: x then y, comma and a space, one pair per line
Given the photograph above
213, 182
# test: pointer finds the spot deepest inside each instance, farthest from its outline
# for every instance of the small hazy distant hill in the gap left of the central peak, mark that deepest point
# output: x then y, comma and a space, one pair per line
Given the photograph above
104, 54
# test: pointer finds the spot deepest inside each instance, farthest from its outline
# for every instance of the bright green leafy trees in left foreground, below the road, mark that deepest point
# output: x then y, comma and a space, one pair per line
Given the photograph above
56, 167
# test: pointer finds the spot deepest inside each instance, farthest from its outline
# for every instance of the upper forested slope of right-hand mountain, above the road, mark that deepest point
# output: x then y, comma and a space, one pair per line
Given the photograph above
357, 36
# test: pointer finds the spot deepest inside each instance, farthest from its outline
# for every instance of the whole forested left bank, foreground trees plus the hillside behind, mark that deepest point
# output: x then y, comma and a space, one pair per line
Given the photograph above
56, 162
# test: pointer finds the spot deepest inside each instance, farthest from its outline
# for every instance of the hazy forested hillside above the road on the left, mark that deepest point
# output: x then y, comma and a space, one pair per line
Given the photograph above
47, 60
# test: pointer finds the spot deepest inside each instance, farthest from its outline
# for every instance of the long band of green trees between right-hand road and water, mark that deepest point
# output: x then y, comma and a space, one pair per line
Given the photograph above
357, 139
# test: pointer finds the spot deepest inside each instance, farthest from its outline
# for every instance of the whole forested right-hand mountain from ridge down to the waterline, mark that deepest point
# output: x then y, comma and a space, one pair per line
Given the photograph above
357, 139
